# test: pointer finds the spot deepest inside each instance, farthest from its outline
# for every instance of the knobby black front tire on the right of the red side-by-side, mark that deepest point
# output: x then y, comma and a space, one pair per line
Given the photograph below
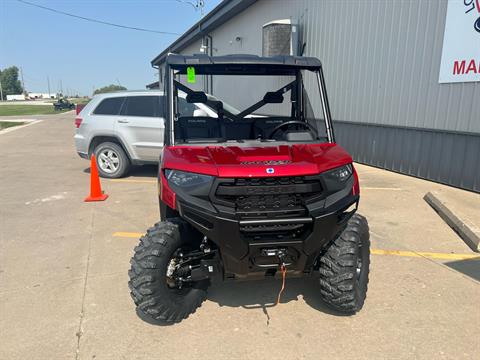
344, 268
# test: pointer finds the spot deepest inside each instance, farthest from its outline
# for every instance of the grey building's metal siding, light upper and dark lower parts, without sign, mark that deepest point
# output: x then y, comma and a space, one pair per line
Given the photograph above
381, 61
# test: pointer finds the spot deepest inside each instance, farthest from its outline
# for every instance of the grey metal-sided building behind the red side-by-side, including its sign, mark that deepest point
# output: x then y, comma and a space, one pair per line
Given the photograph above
403, 76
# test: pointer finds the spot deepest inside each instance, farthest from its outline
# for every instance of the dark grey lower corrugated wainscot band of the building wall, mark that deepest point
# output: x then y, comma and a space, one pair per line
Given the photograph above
442, 156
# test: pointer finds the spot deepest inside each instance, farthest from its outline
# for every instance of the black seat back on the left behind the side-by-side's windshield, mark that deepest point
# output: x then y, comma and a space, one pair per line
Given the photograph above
198, 127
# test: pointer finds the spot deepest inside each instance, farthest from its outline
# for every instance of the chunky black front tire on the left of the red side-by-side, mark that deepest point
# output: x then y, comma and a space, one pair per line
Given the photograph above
155, 287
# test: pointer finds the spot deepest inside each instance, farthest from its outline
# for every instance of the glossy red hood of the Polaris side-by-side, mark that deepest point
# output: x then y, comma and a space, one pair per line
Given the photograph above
236, 161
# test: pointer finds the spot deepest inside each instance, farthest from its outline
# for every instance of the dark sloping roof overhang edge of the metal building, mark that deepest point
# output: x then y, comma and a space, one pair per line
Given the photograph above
218, 16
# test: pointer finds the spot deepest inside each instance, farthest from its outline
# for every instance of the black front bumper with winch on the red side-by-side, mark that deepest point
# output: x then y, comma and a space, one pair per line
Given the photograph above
245, 257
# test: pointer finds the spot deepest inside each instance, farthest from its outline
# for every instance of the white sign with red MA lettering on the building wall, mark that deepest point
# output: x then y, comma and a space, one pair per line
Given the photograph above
461, 42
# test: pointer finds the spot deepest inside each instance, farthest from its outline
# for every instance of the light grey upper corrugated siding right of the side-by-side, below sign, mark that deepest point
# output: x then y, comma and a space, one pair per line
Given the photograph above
382, 60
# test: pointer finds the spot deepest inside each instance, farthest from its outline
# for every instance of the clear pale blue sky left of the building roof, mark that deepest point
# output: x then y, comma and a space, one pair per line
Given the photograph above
85, 55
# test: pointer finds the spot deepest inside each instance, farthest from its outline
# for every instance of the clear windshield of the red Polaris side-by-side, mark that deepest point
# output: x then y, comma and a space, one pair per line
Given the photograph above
266, 108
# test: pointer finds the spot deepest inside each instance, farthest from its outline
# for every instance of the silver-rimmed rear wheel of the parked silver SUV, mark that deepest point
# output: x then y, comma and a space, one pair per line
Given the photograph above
112, 162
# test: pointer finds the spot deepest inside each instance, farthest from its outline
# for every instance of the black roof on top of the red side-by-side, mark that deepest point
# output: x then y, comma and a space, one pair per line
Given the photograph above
242, 64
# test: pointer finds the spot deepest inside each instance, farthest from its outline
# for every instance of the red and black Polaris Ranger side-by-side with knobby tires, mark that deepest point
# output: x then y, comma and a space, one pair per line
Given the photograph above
250, 193
